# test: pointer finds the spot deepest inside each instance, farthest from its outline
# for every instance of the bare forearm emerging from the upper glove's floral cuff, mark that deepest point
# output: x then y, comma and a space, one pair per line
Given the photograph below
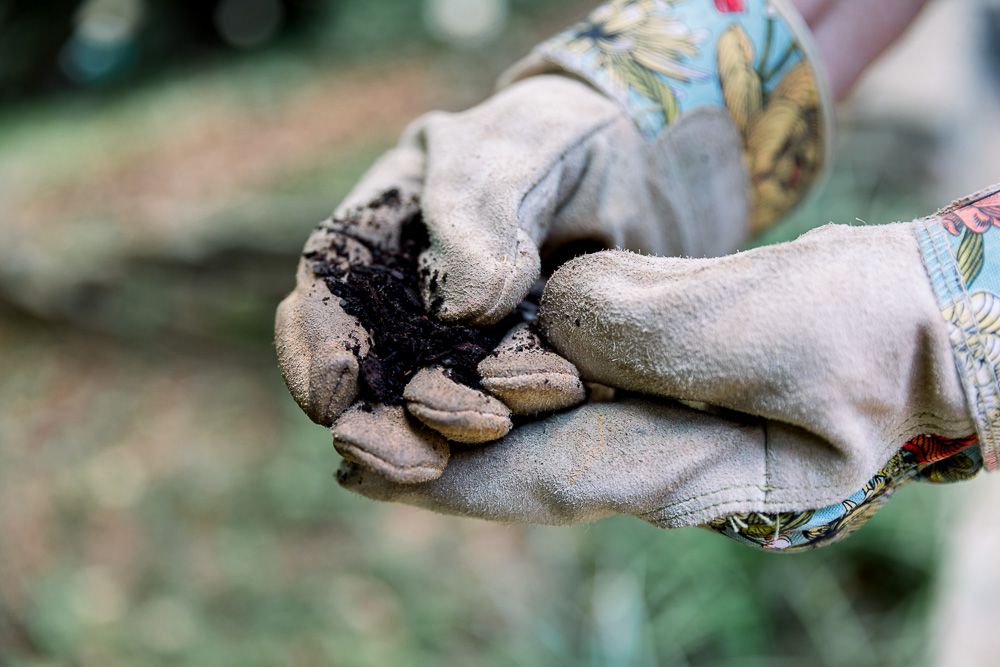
851, 34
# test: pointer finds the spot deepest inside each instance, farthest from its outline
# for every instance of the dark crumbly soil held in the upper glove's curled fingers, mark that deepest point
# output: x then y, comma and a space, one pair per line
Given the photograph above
385, 298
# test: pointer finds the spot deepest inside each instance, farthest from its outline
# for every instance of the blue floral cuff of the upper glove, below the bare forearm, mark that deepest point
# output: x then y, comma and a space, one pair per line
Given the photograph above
755, 58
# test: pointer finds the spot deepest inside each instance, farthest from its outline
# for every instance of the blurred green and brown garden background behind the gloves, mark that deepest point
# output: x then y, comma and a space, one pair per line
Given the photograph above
162, 499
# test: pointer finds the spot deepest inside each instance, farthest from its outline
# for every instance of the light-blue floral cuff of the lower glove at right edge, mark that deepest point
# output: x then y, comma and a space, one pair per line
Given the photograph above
961, 251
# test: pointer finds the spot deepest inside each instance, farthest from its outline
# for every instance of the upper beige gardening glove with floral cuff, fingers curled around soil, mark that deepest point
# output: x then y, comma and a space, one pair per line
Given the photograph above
667, 129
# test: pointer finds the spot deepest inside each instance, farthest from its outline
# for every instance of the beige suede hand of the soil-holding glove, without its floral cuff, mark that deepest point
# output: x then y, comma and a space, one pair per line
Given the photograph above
545, 166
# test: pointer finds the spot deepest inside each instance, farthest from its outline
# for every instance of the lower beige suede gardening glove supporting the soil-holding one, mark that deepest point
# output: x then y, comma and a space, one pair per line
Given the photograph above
829, 371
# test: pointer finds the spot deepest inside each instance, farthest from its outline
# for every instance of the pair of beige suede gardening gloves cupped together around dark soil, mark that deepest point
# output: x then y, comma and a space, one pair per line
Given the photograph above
777, 395
